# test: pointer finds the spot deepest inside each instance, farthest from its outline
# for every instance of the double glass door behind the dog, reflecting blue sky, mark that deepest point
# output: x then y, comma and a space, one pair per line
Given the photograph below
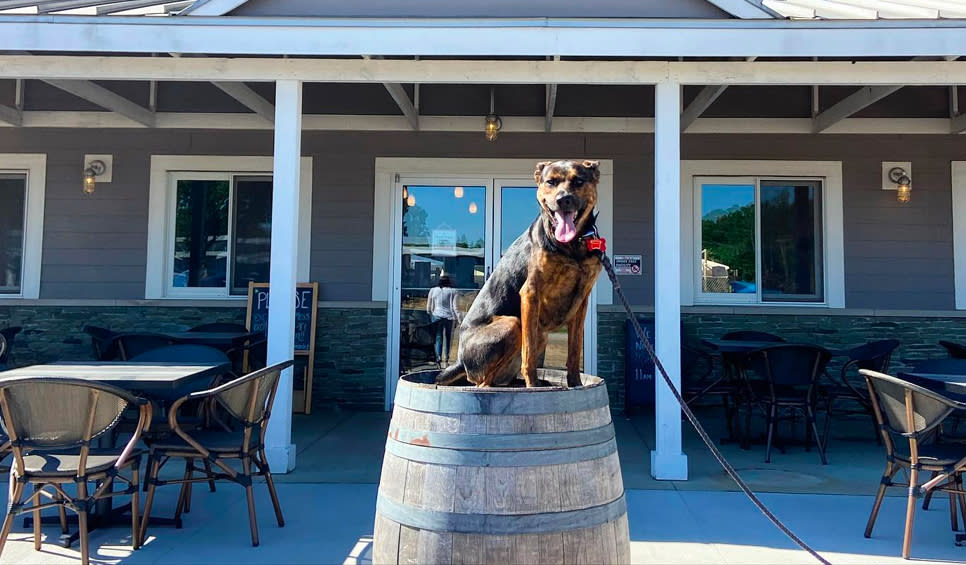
455, 231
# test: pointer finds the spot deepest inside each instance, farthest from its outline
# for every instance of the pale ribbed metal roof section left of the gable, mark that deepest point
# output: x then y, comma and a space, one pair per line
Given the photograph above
96, 7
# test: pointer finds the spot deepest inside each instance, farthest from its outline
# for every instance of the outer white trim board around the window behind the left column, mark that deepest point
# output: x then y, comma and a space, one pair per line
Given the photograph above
158, 222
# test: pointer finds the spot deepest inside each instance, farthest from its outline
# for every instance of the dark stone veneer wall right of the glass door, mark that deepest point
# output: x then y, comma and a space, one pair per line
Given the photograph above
919, 336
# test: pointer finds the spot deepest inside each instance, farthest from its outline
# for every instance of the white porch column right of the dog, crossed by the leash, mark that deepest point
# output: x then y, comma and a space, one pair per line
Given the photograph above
667, 460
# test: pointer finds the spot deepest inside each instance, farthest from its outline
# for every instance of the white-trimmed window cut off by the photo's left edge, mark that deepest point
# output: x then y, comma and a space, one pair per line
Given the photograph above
22, 180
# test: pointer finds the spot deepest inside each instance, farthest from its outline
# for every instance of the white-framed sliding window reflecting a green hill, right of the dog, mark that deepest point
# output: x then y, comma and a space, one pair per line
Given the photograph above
762, 233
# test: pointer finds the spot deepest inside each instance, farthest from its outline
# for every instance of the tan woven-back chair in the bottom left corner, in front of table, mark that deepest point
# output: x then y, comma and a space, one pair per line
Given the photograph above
51, 423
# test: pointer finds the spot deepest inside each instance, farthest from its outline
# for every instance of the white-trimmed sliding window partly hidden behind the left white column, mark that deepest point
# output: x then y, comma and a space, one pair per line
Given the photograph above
210, 227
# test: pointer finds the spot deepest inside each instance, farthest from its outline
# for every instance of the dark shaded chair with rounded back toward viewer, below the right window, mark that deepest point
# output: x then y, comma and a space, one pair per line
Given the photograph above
789, 382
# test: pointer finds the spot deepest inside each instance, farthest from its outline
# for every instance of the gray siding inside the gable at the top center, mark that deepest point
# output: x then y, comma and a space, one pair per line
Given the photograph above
492, 9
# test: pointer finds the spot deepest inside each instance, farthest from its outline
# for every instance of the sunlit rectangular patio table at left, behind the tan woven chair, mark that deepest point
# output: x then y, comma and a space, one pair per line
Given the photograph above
159, 382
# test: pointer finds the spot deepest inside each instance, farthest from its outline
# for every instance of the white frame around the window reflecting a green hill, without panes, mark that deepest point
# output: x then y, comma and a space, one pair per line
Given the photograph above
829, 173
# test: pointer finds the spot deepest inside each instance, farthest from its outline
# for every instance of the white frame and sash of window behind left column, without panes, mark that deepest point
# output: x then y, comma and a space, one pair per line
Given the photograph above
165, 171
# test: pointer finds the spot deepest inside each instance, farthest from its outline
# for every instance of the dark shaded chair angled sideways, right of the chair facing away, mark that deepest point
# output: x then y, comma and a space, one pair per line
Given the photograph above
875, 356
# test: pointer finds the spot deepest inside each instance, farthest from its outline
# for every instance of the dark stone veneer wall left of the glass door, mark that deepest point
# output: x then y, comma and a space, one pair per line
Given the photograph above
349, 351
